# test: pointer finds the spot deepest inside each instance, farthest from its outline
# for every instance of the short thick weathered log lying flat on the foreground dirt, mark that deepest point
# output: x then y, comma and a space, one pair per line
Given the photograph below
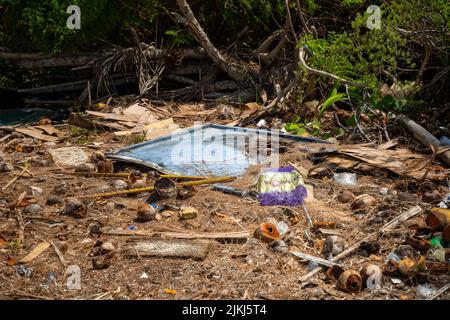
172, 248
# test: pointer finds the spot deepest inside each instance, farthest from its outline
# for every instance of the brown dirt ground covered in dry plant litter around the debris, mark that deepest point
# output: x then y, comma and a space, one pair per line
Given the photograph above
237, 269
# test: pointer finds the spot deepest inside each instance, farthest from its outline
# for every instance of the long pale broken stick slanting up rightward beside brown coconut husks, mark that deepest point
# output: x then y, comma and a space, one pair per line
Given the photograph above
388, 226
